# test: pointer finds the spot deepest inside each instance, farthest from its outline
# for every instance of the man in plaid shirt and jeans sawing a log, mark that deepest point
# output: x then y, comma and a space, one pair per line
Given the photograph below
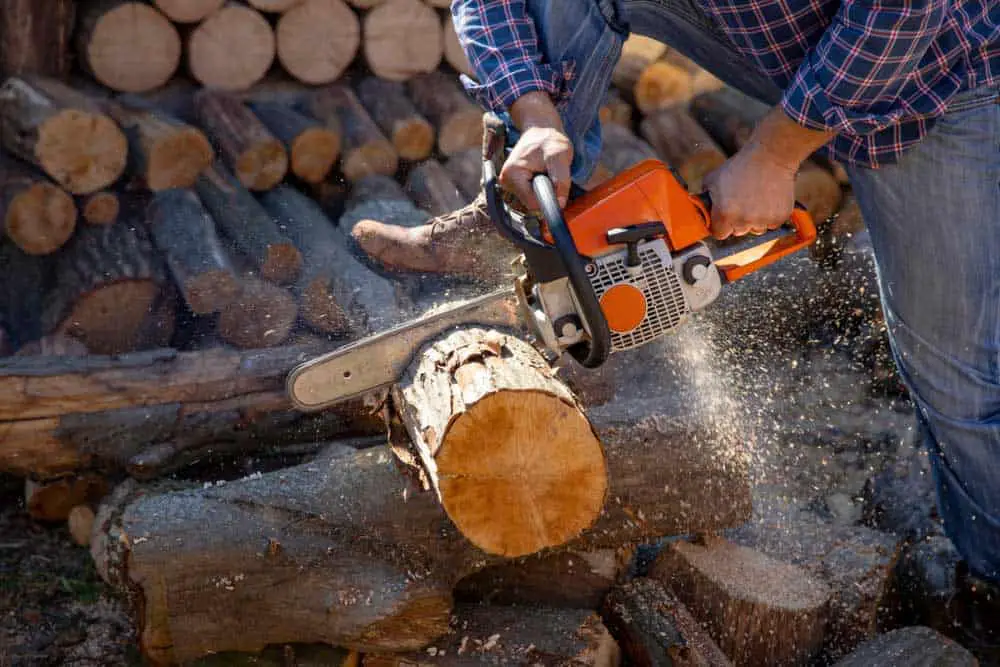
904, 93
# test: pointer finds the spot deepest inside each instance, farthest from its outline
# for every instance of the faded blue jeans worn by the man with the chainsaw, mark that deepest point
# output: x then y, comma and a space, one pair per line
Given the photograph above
934, 221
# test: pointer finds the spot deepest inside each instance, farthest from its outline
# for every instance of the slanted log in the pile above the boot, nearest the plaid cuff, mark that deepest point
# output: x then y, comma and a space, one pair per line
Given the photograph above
441, 99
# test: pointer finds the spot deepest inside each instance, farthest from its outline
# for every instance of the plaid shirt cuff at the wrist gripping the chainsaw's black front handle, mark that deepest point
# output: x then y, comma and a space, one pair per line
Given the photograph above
502, 90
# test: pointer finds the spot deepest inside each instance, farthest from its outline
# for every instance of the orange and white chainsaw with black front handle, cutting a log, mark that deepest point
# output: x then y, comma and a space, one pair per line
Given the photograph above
621, 266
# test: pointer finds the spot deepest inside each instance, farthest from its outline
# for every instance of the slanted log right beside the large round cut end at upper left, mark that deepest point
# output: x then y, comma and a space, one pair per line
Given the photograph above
164, 152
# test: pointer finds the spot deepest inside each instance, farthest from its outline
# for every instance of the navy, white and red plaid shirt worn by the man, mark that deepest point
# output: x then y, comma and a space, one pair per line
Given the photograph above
877, 72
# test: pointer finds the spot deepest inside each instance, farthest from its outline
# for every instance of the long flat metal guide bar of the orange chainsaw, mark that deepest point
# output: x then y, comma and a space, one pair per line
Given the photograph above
379, 361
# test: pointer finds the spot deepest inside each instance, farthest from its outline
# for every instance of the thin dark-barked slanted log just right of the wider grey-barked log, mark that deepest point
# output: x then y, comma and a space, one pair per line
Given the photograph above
247, 226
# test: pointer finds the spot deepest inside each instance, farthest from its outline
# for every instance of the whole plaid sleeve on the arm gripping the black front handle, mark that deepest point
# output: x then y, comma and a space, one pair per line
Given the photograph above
501, 42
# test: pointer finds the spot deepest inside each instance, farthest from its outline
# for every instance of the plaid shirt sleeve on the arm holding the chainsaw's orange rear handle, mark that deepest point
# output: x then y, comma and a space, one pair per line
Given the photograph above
849, 82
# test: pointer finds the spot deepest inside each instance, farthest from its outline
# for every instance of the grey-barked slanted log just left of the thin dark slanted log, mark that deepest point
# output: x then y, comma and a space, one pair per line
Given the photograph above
185, 233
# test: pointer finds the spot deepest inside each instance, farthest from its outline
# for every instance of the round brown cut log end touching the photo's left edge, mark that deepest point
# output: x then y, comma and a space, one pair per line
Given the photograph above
41, 219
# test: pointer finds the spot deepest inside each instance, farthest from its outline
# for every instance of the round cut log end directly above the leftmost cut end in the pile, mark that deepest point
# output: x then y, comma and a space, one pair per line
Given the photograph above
82, 151
